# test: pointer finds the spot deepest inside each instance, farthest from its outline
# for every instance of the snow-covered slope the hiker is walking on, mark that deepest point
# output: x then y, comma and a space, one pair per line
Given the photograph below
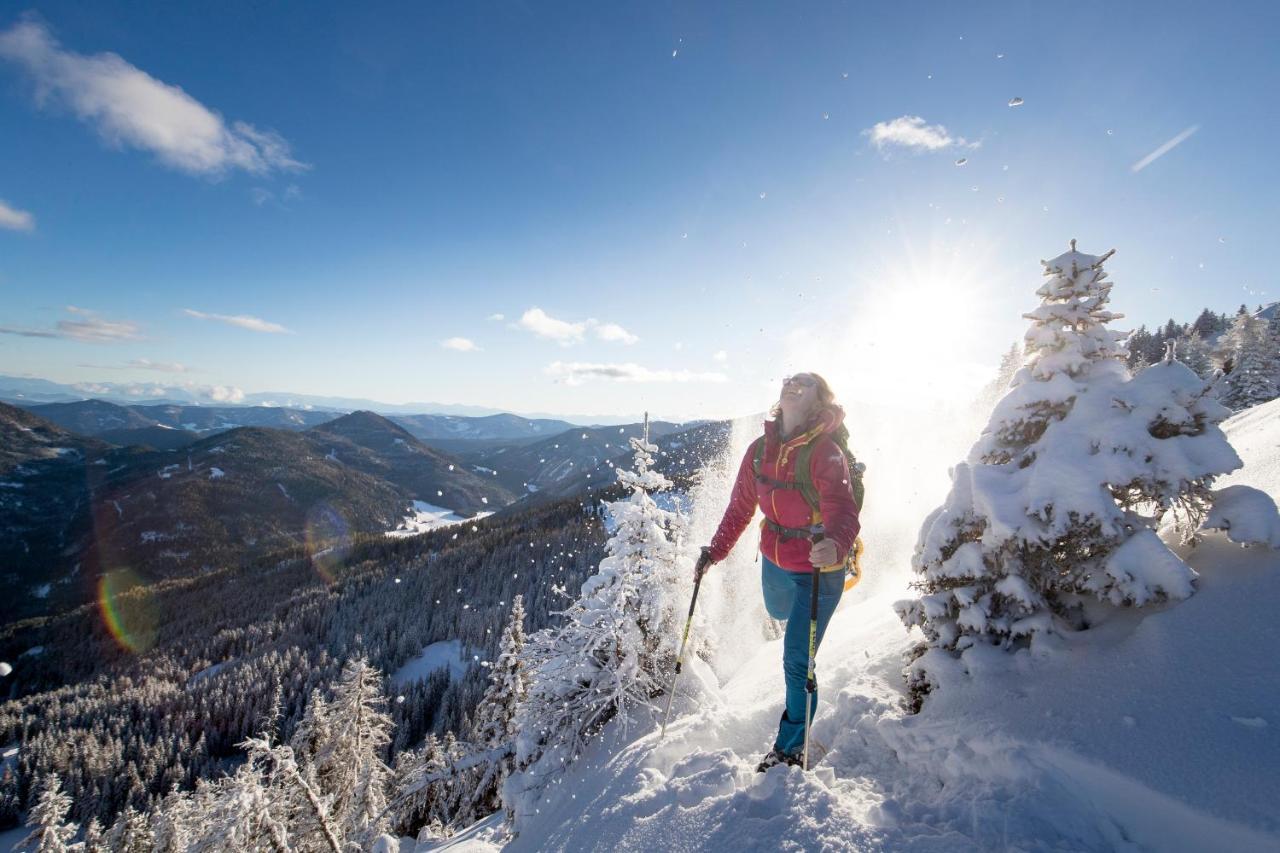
1158, 731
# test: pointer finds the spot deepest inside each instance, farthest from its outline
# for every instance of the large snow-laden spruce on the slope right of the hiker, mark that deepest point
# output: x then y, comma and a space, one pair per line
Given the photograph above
1064, 491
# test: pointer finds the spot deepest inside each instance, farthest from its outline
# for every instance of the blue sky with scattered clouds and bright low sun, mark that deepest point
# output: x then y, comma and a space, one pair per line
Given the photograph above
669, 206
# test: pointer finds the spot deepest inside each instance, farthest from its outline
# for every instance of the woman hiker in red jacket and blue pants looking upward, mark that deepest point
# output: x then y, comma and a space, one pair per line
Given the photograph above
806, 416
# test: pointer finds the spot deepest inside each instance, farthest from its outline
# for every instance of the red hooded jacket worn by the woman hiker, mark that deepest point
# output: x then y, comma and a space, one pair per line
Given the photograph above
788, 508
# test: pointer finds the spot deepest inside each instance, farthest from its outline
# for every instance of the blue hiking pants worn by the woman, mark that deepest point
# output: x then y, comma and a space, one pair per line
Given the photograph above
787, 597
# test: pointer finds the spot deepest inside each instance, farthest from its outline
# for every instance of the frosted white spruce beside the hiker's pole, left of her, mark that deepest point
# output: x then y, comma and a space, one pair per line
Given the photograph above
616, 645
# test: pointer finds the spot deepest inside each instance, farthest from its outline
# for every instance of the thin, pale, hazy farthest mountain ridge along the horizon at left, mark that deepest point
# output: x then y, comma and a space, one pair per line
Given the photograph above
28, 391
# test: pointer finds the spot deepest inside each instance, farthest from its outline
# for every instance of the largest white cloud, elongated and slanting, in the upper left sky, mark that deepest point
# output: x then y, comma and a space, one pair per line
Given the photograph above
130, 108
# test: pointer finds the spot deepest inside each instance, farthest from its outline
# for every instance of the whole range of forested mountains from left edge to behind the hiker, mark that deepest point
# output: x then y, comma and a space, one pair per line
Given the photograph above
172, 491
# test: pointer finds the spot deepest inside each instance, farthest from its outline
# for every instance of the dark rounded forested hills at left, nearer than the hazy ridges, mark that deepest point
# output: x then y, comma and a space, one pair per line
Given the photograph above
74, 508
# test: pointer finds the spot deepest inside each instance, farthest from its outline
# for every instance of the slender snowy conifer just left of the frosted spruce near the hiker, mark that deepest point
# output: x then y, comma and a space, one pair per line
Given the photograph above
495, 732
